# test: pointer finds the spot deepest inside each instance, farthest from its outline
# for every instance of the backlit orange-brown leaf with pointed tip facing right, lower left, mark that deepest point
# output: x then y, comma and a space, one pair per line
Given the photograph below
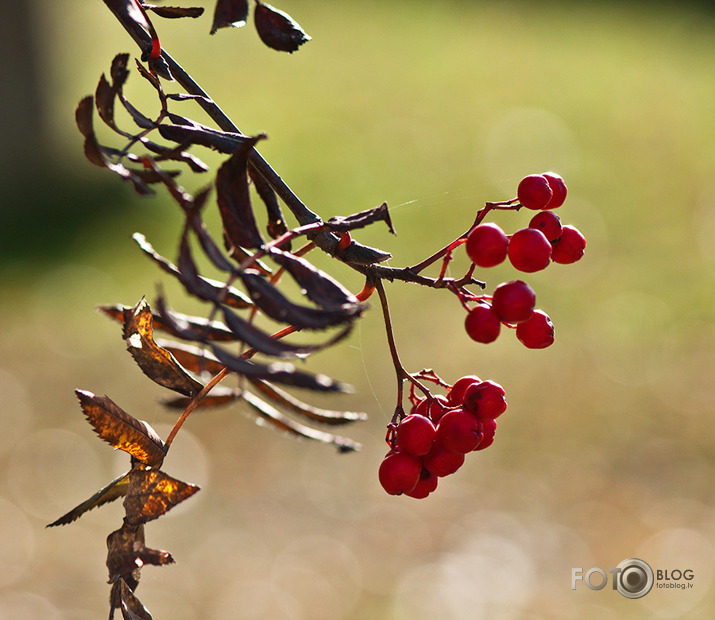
152, 493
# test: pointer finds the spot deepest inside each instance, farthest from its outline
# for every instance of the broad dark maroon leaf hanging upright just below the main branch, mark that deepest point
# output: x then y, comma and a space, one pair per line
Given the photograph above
234, 200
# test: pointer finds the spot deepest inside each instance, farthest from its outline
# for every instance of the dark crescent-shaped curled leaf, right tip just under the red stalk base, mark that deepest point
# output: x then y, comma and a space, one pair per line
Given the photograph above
277, 306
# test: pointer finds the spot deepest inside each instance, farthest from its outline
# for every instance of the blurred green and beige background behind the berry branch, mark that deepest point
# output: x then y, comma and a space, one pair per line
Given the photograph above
606, 450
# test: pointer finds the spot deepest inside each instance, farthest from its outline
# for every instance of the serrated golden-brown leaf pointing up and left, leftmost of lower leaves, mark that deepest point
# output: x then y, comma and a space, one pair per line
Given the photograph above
121, 430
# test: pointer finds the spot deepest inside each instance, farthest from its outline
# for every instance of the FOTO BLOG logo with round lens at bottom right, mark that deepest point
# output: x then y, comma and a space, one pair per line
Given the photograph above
633, 578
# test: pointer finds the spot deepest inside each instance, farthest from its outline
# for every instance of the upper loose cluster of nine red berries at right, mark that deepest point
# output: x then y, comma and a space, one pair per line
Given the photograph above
530, 249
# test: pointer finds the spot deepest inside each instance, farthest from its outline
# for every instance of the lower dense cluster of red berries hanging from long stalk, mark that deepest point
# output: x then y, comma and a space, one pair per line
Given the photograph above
432, 441
